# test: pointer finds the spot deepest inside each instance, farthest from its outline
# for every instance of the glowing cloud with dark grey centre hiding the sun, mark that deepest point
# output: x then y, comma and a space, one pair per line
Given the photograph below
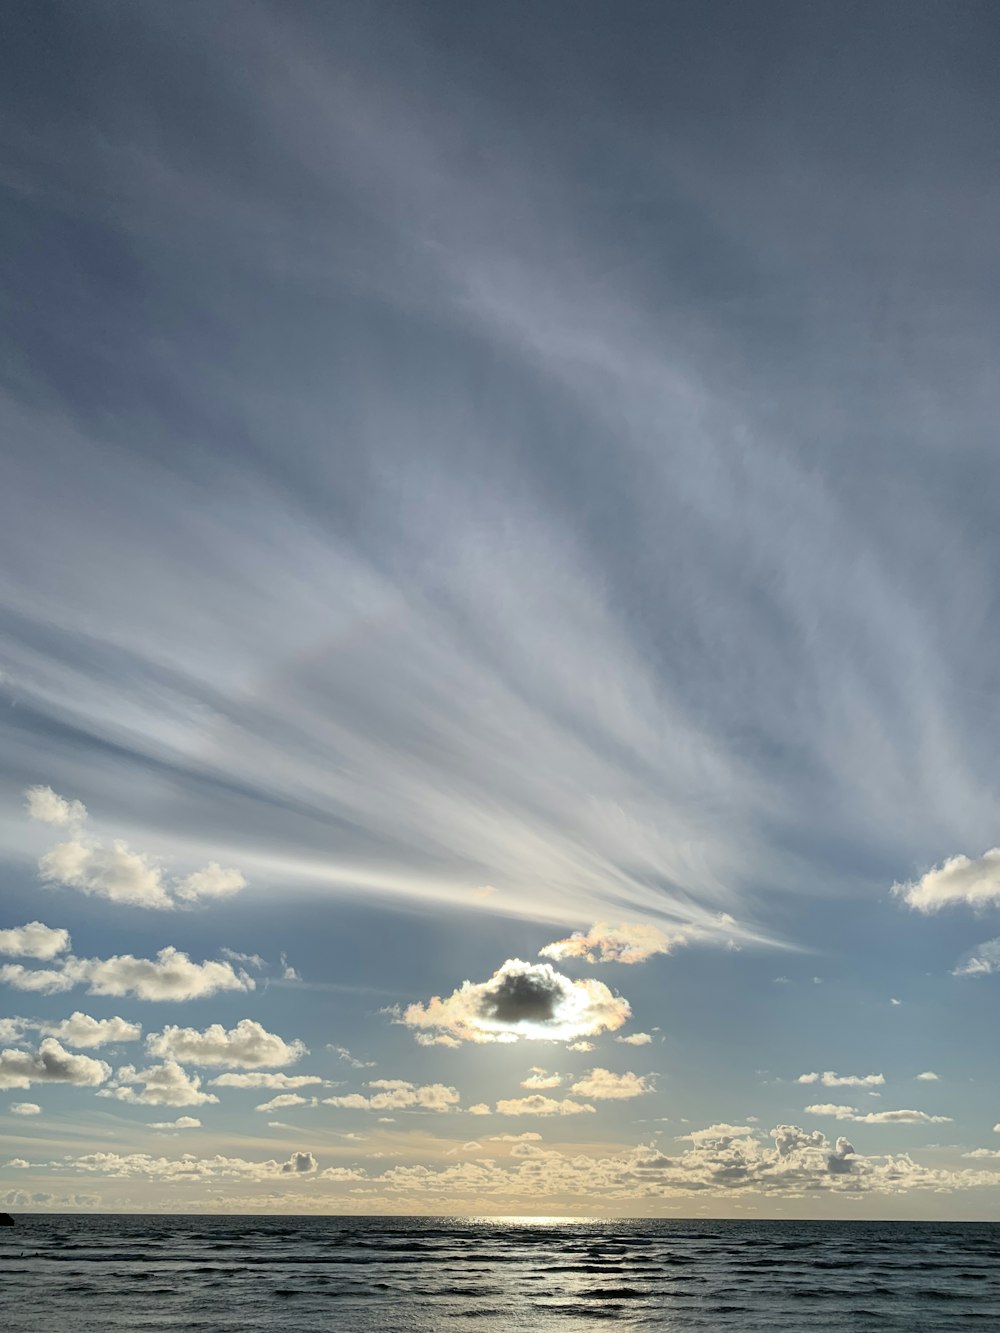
522, 1000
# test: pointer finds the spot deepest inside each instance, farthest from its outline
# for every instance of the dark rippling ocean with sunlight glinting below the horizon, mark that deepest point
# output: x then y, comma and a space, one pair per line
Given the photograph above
425, 1275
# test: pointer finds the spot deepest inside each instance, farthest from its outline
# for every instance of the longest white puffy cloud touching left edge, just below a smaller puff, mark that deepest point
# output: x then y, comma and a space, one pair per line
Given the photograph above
170, 976
